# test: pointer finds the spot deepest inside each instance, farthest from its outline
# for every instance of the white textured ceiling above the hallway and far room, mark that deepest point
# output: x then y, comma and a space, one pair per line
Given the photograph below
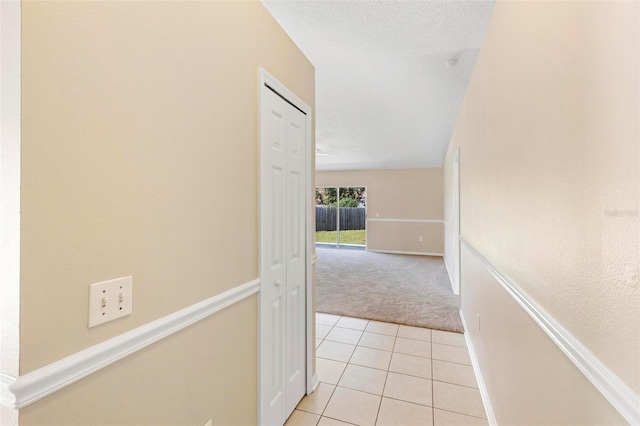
385, 95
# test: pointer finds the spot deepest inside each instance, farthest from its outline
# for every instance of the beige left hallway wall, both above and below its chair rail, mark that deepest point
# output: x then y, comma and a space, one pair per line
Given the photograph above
139, 157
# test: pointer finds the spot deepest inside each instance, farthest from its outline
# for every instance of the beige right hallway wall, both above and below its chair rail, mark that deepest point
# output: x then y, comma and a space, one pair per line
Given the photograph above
550, 159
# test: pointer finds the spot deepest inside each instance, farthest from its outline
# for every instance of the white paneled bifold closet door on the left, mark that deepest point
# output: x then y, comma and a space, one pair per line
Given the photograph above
282, 253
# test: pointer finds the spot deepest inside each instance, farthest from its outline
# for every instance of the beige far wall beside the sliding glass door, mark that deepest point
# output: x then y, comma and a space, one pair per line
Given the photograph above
398, 194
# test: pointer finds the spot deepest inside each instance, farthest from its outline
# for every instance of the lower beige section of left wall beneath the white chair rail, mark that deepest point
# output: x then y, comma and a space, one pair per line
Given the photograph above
207, 371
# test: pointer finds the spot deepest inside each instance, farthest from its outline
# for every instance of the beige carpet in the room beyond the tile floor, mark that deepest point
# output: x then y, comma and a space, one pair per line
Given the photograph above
402, 289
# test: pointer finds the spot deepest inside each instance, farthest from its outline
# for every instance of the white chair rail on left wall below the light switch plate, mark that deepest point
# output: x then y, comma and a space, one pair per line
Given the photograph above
51, 378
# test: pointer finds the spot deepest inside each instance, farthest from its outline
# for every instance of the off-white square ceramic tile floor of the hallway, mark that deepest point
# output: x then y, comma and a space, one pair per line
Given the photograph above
375, 373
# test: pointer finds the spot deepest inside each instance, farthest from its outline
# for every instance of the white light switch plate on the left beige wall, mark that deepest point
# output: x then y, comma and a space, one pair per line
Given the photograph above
109, 300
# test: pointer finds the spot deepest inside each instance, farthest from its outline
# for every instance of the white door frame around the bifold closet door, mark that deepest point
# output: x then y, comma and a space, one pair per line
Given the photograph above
266, 79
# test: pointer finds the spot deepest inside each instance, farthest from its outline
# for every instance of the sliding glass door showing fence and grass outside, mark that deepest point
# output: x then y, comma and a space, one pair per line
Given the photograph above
341, 217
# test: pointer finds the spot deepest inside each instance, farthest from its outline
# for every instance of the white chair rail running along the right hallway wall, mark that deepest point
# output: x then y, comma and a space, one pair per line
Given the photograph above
616, 391
